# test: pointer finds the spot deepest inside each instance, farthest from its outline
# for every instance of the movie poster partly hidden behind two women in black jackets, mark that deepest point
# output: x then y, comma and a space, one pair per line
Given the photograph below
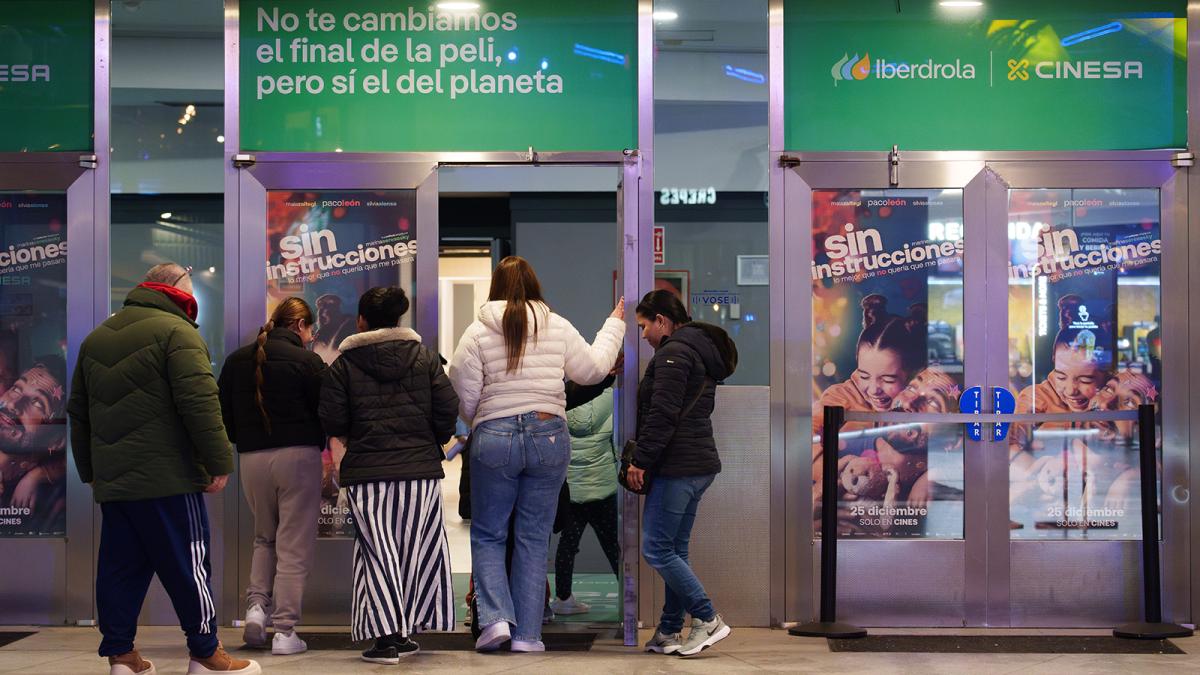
329, 248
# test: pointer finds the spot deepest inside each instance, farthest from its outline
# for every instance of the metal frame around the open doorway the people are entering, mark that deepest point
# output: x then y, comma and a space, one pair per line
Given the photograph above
247, 290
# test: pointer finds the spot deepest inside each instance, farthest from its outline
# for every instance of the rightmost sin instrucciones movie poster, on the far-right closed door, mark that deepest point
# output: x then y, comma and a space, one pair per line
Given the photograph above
1084, 310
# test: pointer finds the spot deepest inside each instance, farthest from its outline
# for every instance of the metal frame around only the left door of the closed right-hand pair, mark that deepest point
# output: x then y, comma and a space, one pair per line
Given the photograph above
817, 172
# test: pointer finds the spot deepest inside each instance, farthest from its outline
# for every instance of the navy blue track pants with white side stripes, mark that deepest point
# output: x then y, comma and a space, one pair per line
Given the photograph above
165, 536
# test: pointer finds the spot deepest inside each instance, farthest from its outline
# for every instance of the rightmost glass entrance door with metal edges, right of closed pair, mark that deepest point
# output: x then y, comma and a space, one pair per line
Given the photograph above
1088, 260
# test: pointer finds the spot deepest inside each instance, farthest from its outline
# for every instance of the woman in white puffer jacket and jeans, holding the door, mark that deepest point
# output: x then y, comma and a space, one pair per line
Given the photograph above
509, 372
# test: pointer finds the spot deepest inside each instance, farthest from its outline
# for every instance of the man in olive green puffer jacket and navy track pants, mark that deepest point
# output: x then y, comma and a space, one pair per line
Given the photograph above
147, 434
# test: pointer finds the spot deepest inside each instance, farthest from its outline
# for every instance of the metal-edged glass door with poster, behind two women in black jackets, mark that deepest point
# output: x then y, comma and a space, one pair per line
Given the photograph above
328, 231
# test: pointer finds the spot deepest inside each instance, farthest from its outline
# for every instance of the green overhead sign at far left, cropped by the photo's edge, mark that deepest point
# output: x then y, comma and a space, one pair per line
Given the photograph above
46, 75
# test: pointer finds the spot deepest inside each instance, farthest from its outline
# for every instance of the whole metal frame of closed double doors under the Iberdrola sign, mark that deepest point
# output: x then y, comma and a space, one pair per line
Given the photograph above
986, 180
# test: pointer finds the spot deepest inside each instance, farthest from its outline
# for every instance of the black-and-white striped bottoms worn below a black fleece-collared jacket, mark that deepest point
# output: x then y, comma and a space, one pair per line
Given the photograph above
401, 560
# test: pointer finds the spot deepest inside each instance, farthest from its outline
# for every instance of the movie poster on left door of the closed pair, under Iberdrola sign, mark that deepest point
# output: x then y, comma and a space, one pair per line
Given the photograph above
887, 336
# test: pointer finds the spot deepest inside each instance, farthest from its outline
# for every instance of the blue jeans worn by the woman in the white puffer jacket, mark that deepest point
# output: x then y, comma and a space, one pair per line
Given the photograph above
518, 467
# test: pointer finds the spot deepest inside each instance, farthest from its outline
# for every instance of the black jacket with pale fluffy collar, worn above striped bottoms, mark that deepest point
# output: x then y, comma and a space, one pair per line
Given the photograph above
394, 403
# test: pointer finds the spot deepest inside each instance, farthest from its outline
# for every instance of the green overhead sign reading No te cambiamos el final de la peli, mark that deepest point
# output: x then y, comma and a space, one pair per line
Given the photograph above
373, 76
